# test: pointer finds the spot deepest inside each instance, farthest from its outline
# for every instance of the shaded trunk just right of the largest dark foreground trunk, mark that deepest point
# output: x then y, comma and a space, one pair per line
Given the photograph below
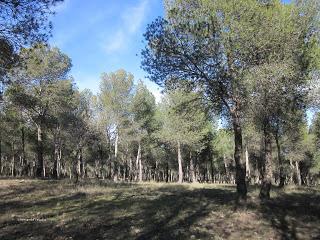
267, 175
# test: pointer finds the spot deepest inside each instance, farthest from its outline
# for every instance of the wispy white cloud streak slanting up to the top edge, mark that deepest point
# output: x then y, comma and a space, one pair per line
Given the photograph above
131, 20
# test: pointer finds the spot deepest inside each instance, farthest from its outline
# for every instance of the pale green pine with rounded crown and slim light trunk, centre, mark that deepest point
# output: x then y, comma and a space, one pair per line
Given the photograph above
184, 122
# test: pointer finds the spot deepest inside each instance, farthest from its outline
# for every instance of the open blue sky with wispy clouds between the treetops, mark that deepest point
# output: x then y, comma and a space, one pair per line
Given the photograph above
103, 36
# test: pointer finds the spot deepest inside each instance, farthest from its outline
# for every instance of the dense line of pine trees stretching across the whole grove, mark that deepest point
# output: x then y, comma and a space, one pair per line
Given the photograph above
252, 64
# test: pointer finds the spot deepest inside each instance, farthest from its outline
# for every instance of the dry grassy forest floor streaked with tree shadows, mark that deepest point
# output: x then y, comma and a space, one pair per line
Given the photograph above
35, 209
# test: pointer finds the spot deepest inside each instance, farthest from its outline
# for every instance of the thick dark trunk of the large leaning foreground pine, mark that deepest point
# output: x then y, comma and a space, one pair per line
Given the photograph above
240, 164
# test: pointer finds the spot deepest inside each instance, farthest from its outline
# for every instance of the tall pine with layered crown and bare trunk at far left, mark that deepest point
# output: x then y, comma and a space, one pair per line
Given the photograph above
45, 66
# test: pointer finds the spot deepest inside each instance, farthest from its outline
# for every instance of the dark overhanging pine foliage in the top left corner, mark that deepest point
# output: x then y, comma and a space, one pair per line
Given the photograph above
22, 23
